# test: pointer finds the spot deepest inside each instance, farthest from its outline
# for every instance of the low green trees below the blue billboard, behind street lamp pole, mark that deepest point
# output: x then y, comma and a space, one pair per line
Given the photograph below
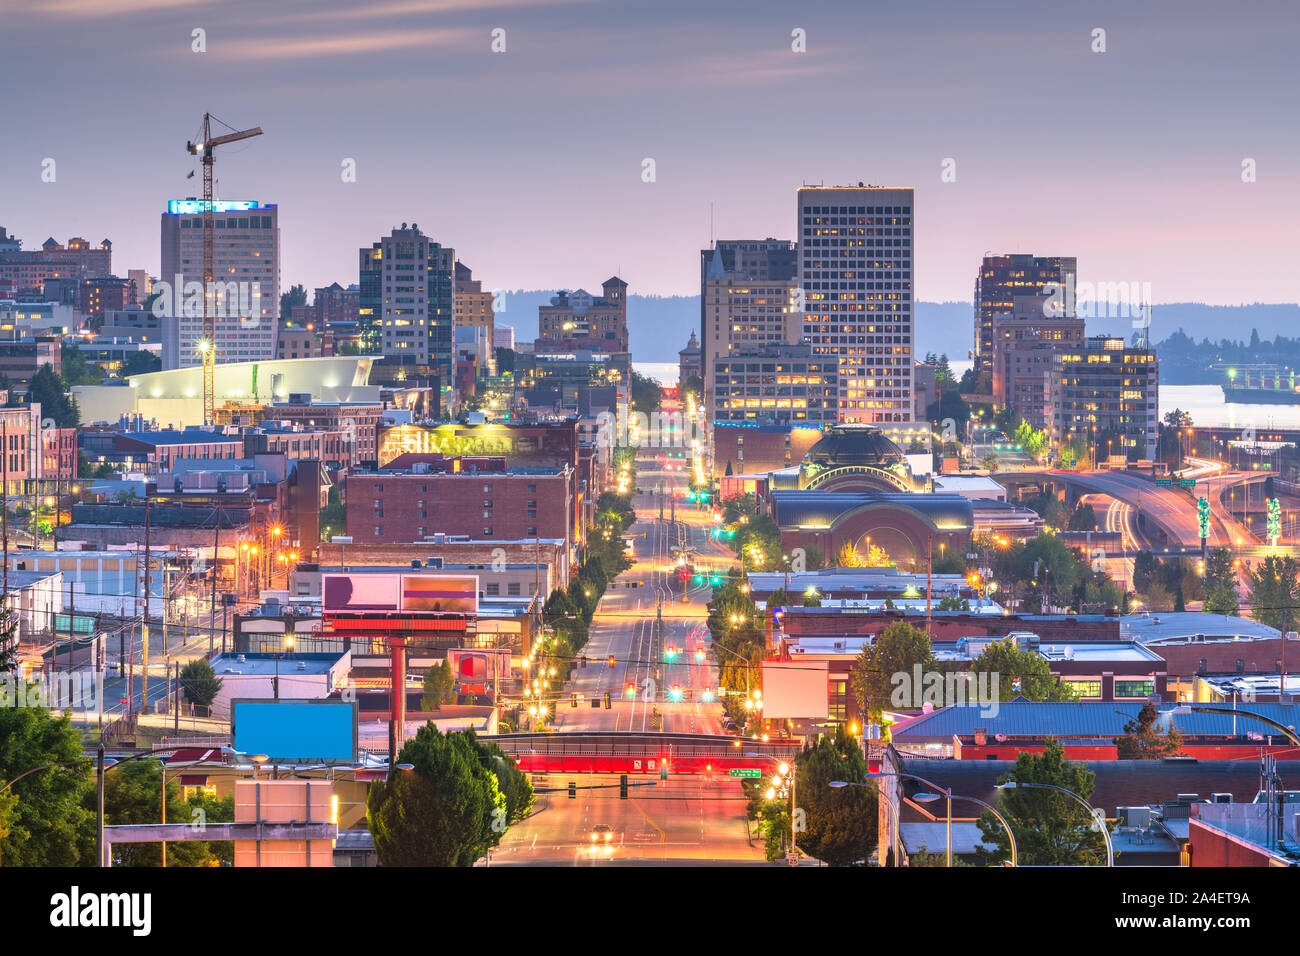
133, 795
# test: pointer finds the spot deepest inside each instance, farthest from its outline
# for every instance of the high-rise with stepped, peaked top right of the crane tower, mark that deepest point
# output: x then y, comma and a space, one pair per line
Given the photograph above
408, 305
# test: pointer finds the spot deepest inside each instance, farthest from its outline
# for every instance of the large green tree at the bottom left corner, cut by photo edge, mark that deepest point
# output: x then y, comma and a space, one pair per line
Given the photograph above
45, 817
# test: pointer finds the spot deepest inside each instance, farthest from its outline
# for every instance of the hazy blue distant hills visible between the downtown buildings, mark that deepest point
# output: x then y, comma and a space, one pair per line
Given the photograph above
660, 326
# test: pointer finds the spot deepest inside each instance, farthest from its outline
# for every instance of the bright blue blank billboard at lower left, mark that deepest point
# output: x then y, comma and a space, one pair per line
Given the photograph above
296, 730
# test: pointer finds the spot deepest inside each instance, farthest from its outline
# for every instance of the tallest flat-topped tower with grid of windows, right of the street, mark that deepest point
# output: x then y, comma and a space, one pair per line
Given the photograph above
856, 278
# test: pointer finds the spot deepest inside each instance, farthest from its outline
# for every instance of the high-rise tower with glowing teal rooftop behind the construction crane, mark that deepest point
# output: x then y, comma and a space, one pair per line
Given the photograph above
245, 276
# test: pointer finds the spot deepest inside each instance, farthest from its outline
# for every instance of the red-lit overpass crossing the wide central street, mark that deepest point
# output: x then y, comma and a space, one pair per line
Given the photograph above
639, 754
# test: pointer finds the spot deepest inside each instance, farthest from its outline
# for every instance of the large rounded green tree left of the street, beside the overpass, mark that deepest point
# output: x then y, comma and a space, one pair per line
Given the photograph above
448, 811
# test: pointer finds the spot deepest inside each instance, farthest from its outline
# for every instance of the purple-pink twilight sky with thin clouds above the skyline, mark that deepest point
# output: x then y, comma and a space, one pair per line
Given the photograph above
530, 163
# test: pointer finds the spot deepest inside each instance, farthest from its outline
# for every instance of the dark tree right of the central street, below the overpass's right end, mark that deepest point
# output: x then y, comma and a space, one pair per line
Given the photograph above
839, 824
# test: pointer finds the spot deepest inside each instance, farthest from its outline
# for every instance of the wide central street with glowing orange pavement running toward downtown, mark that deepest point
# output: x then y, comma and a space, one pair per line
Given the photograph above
682, 820
